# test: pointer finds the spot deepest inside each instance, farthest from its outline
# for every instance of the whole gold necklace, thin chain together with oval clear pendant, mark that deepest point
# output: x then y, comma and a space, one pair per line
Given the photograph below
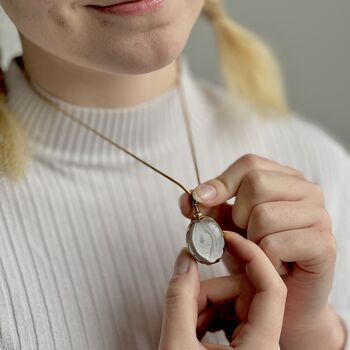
205, 239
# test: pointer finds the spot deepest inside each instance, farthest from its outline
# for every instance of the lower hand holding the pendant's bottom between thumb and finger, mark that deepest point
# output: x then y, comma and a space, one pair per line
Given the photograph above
259, 296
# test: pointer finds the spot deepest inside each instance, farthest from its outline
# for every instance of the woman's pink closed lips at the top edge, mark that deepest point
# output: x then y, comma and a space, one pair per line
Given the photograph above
130, 7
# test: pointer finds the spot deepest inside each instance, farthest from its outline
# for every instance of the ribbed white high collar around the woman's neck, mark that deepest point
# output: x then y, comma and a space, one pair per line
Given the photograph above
149, 126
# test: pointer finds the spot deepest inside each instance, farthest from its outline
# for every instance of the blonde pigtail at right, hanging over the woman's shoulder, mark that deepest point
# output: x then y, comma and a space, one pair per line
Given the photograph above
247, 64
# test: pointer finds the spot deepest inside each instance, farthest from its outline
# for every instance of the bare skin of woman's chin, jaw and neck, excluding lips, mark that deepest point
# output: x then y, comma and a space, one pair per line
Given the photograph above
91, 59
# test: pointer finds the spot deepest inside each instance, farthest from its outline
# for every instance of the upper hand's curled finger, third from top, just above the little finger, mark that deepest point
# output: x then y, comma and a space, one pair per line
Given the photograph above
271, 217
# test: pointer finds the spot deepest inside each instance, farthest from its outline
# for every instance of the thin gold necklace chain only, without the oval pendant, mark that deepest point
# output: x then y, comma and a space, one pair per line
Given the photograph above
184, 110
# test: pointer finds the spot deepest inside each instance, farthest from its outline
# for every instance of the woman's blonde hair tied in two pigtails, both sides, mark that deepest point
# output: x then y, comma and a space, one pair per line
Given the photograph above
247, 65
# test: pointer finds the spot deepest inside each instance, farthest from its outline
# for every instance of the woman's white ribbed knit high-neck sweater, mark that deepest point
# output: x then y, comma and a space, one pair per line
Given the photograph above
89, 238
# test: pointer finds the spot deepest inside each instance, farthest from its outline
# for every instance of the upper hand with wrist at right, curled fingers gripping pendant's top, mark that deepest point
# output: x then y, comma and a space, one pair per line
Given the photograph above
282, 212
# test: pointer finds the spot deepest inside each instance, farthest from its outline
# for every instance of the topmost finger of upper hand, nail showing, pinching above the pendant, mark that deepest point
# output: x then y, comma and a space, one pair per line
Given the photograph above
225, 186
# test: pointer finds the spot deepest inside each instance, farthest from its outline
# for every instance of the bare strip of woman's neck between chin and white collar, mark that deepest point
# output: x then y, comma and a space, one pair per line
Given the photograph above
92, 88
